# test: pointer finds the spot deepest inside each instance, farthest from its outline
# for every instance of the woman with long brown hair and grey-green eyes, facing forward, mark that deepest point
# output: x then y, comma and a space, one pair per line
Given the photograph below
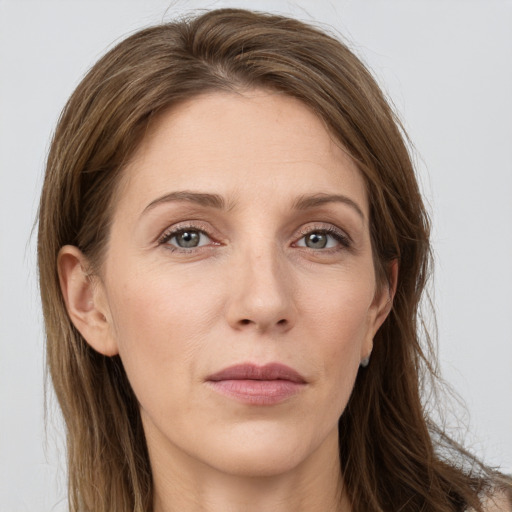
232, 249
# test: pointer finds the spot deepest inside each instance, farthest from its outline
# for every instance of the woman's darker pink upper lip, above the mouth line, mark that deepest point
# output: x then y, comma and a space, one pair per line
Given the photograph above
249, 371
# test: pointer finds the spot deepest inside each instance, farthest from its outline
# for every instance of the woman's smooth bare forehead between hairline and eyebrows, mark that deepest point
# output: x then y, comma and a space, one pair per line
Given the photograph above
258, 143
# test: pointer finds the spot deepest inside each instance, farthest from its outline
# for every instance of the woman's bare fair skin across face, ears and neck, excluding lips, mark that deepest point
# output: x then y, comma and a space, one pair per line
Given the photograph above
252, 291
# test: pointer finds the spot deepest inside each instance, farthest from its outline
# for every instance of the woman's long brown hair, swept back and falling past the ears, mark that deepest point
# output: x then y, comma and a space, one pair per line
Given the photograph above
390, 452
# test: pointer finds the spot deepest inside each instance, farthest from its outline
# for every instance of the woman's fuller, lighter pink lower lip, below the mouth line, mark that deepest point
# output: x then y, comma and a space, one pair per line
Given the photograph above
258, 392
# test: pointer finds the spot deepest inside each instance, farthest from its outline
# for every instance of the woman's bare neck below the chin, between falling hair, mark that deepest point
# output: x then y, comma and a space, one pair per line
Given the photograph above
186, 485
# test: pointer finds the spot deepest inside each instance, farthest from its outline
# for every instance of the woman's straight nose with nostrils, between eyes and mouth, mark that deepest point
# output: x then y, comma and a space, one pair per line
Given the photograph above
261, 297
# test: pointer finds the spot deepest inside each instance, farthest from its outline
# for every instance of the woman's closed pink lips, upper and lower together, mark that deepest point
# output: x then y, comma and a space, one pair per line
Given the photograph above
258, 385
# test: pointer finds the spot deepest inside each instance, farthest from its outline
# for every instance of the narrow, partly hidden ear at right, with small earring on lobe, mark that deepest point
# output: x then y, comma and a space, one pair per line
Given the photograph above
381, 306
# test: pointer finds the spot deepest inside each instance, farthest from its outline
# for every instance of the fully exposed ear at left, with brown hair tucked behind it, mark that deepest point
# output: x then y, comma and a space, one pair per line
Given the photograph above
86, 300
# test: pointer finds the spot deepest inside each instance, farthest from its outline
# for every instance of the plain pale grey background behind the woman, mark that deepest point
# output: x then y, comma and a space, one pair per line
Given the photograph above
446, 65
